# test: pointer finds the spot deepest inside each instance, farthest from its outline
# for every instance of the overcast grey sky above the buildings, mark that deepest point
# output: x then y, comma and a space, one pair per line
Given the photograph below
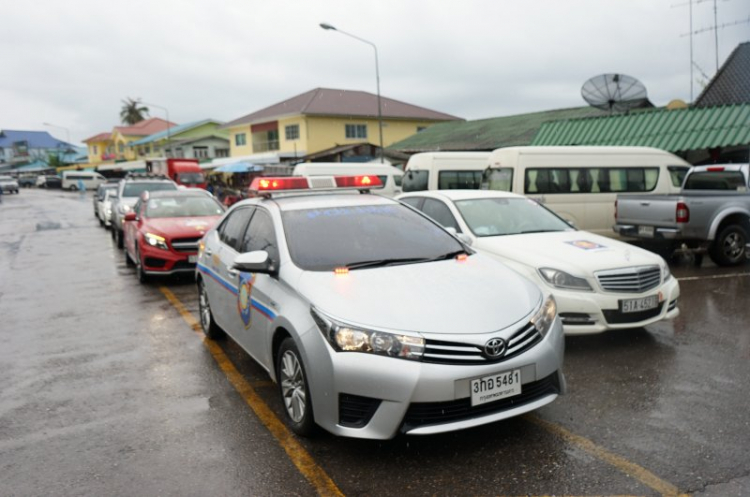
71, 63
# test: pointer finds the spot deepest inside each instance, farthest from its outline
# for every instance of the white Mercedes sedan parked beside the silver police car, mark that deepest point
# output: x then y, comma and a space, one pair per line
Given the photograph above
599, 283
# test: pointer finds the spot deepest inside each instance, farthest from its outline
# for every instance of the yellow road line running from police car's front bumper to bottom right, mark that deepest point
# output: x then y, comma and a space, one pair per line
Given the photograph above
631, 469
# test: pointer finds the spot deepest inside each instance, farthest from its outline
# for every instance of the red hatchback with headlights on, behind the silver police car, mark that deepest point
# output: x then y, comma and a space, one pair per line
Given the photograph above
164, 228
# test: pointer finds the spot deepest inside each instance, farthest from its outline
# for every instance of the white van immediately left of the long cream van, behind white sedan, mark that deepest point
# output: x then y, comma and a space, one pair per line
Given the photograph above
445, 171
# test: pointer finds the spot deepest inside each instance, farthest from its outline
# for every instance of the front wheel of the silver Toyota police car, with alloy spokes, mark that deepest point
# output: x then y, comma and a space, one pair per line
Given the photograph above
294, 390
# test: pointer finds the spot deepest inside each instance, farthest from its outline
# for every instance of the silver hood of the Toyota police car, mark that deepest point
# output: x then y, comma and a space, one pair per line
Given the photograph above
478, 295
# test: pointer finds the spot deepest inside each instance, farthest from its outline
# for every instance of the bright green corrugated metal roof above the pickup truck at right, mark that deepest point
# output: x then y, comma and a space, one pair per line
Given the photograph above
671, 130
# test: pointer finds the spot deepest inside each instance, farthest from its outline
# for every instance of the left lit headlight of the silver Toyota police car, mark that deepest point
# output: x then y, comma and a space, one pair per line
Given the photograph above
347, 338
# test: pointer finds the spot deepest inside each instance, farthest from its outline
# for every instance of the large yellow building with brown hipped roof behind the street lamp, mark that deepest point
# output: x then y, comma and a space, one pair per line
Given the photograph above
323, 118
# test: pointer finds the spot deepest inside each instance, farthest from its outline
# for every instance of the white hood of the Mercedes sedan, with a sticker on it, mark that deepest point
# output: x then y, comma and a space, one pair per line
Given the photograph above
579, 252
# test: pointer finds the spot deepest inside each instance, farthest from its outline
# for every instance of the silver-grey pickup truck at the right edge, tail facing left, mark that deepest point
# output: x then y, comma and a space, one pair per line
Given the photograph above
711, 213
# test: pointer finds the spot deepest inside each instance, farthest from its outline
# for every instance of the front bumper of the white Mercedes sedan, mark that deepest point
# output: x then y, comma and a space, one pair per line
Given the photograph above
585, 313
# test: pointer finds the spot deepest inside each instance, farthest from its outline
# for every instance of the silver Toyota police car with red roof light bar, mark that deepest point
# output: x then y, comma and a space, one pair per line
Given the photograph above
372, 319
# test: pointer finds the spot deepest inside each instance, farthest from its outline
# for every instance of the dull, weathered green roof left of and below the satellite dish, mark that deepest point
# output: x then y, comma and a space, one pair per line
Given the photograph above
487, 134
